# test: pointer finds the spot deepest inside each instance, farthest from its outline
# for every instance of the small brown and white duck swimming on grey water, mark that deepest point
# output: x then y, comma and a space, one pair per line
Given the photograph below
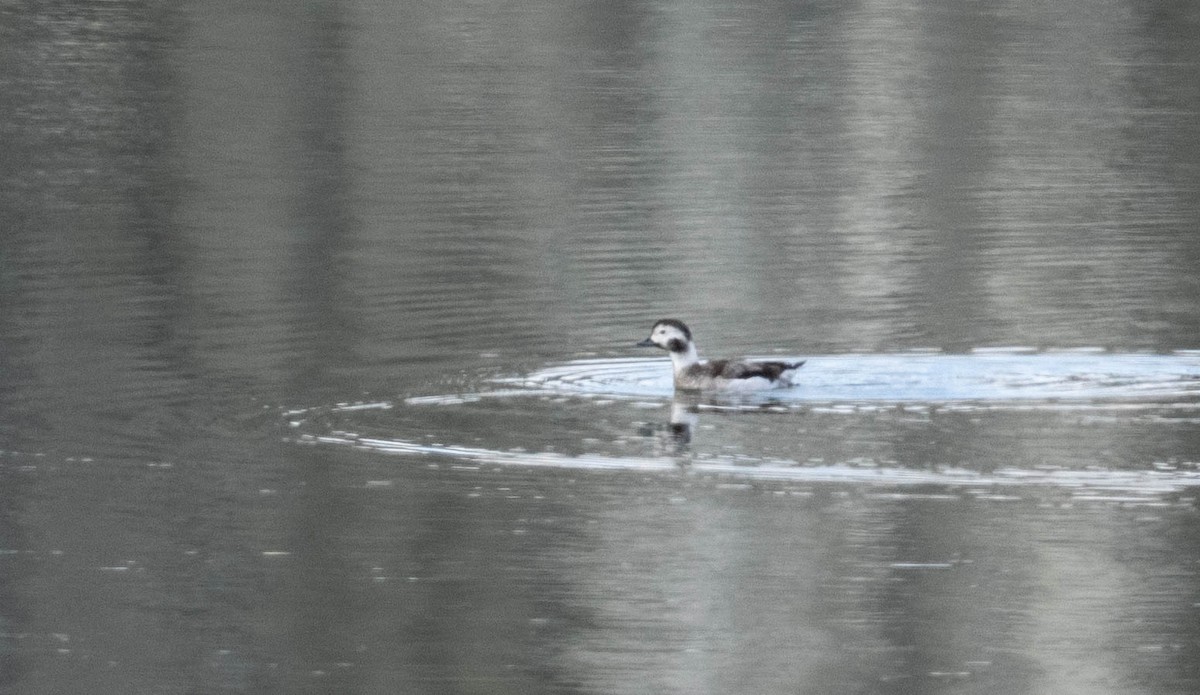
694, 375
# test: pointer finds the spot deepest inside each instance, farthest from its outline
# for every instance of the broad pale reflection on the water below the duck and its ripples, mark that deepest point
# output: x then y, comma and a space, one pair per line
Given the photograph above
680, 597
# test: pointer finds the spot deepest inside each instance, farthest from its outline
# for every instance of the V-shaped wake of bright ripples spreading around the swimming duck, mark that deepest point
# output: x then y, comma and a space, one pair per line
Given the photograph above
1118, 427
